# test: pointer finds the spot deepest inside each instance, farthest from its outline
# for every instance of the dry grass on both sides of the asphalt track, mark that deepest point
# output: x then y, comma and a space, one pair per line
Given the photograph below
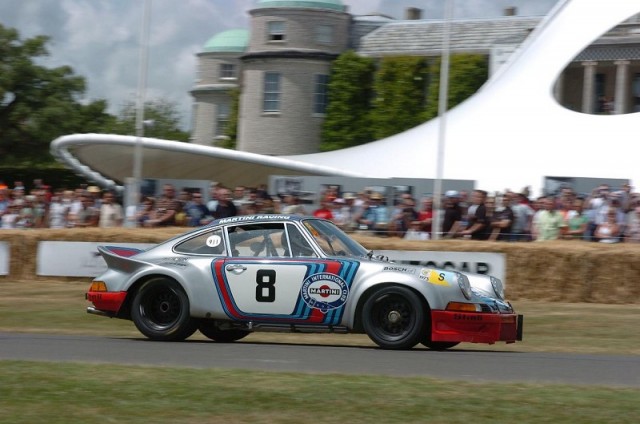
78, 393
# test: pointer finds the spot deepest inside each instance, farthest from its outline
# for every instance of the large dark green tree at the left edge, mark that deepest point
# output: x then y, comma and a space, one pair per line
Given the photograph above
38, 104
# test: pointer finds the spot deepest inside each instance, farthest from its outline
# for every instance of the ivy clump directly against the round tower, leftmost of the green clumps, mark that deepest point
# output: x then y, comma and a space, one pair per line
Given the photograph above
350, 91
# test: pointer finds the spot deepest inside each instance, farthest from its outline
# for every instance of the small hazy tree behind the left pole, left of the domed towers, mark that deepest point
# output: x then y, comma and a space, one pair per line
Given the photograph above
163, 114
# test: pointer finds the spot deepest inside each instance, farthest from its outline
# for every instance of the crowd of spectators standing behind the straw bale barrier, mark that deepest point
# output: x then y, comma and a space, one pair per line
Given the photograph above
604, 215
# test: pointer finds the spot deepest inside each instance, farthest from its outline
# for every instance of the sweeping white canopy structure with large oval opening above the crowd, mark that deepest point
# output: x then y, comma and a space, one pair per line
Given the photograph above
510, 134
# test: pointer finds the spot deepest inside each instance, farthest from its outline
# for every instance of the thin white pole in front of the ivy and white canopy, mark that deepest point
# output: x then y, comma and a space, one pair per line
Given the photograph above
442, 114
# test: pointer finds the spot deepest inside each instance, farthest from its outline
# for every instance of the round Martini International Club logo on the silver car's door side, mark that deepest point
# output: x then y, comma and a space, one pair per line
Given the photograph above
324, 291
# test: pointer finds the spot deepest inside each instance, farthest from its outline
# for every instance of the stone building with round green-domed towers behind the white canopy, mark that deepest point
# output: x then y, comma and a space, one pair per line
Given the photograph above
281, 66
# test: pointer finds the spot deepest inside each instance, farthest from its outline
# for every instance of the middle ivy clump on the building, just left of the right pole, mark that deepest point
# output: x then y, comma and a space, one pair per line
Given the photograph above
400, 94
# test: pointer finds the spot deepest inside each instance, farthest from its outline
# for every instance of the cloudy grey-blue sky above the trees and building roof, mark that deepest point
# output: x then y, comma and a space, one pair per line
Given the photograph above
99, 39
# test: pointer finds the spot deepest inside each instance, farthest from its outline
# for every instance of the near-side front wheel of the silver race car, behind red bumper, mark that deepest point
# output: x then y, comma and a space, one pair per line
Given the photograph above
393, 317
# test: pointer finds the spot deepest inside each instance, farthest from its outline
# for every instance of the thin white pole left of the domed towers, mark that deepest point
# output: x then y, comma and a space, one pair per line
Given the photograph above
134, 188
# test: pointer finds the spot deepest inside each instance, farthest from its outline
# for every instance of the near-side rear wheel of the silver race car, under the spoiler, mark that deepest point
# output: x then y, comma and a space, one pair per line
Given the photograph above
160, 311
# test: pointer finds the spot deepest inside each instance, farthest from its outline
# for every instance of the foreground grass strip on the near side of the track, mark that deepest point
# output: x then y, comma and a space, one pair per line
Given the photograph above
80, 393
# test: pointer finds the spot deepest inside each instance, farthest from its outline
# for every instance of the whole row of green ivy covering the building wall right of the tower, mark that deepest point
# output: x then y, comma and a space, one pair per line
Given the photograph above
406, 94
